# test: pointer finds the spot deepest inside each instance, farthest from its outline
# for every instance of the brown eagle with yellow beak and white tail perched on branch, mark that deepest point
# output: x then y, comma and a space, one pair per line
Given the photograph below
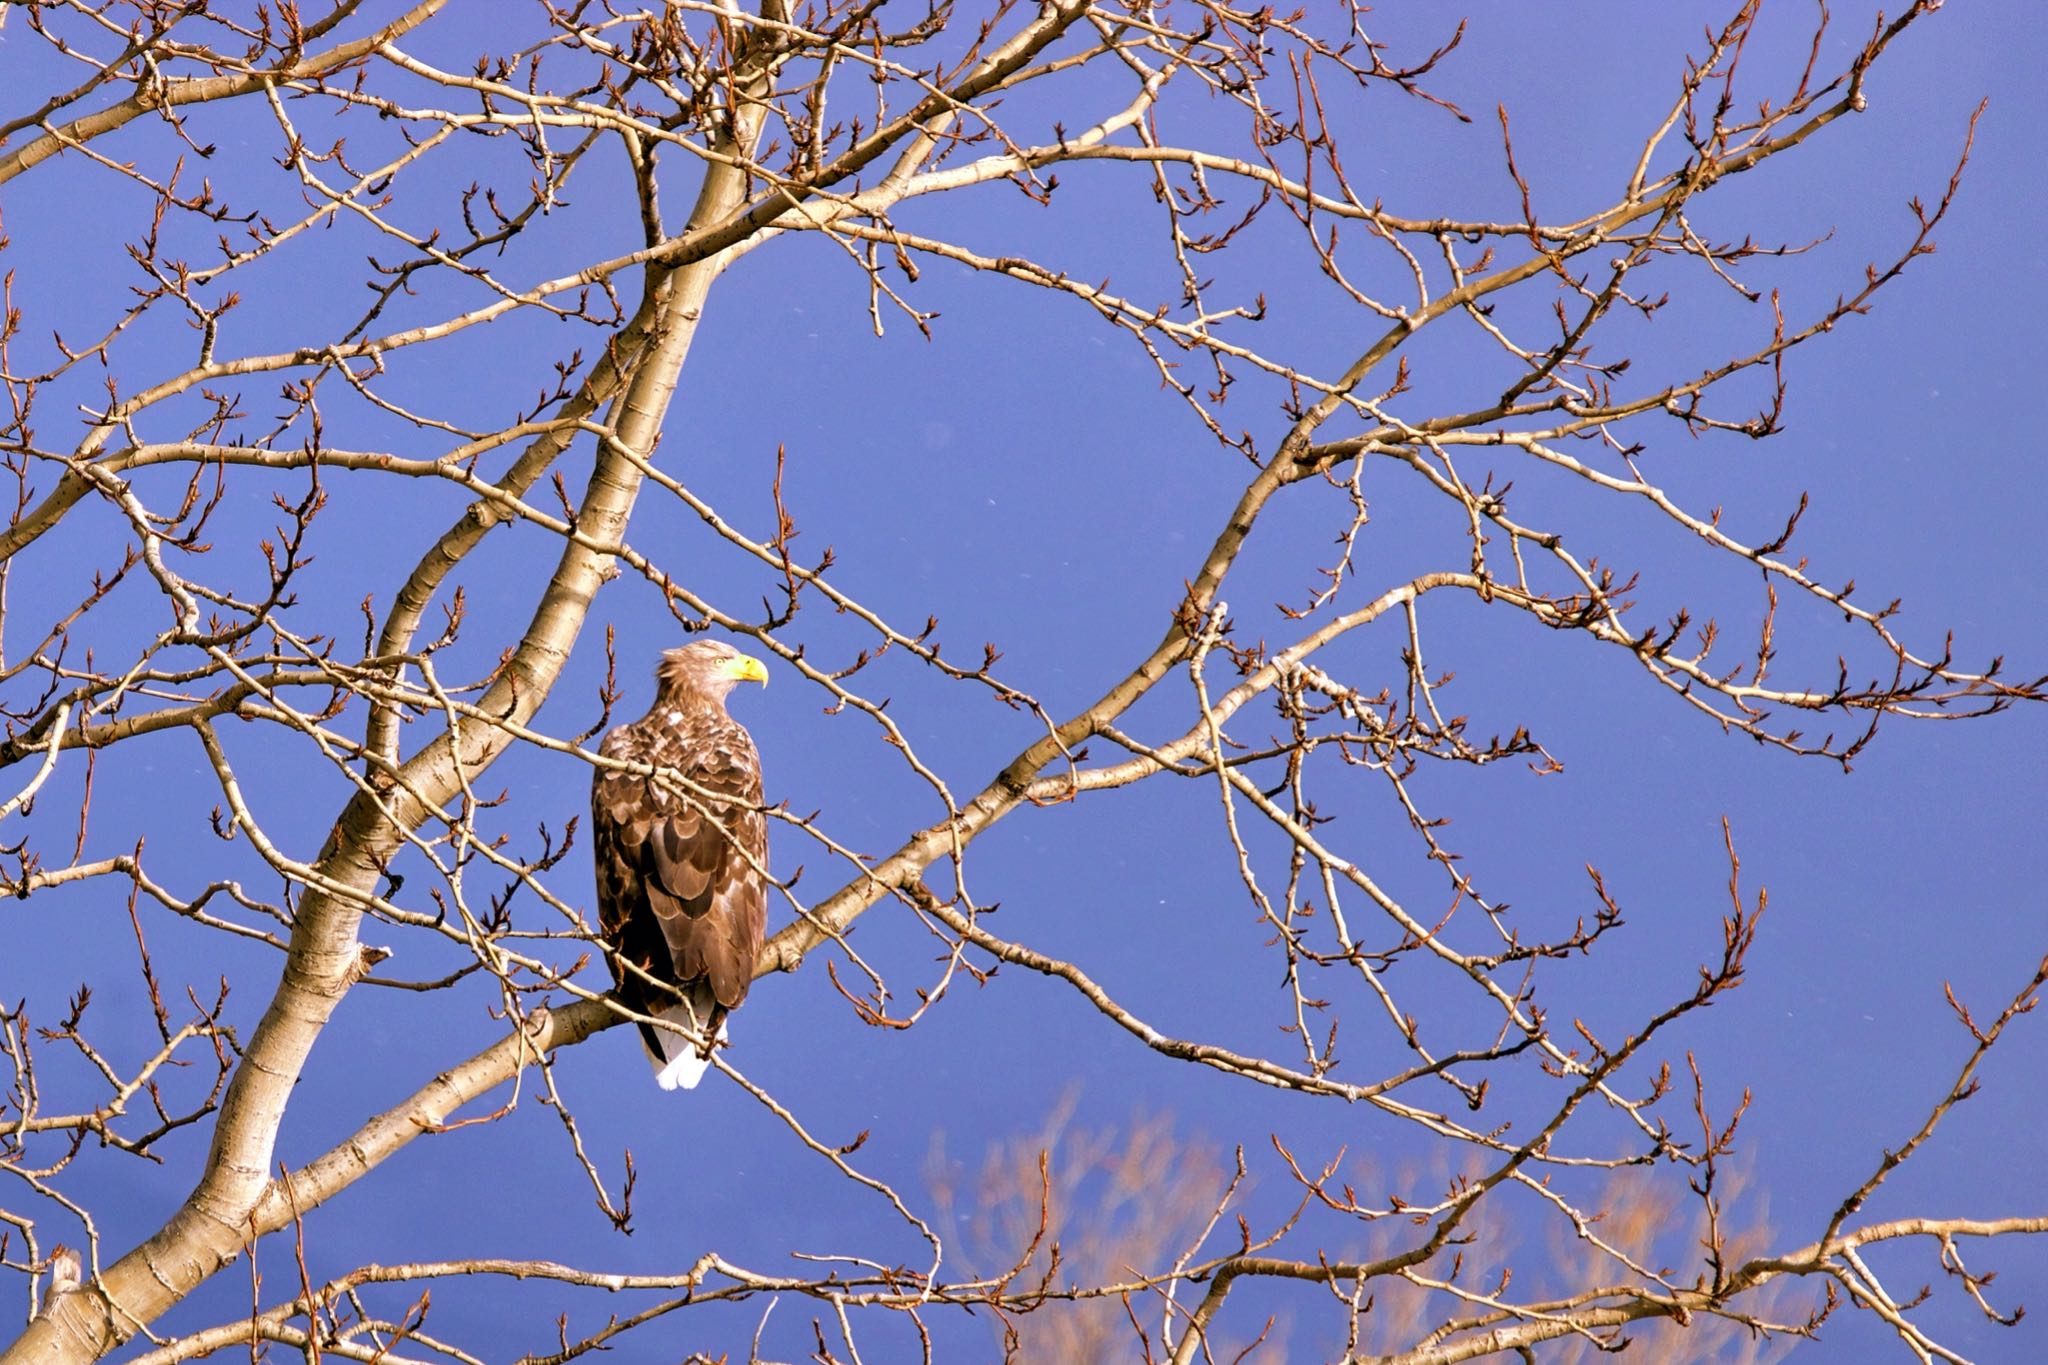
683, 889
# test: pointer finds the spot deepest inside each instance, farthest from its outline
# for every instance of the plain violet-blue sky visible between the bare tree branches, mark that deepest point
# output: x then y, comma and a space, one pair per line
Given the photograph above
1023, 478
